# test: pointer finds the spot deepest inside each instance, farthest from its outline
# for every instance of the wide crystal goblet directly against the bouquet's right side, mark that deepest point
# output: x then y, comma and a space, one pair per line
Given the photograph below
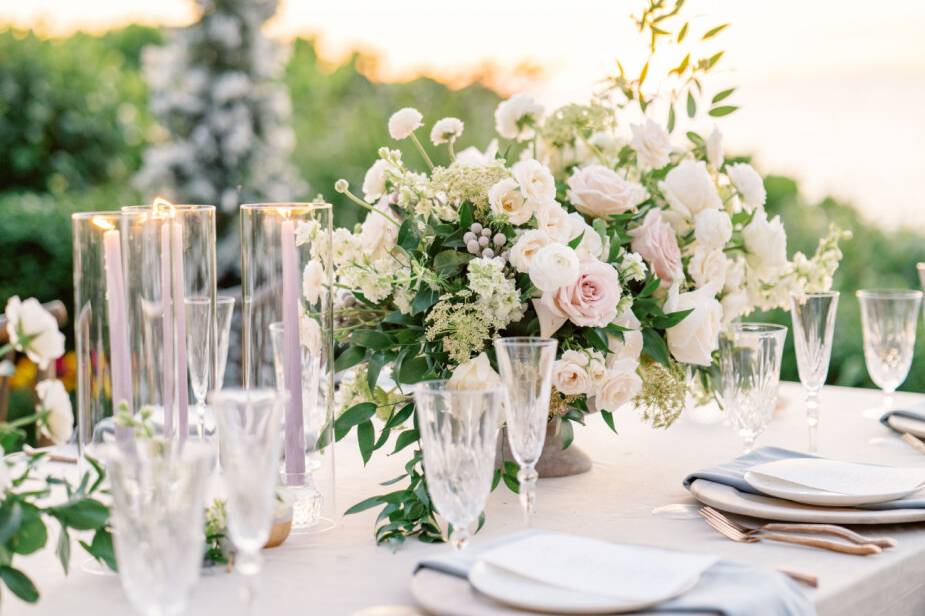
750, 356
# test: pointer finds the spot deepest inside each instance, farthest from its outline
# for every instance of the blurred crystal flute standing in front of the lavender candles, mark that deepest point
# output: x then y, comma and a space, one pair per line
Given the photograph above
249, 430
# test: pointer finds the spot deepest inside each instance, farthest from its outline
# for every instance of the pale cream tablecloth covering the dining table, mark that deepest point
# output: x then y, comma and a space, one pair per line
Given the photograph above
342, 571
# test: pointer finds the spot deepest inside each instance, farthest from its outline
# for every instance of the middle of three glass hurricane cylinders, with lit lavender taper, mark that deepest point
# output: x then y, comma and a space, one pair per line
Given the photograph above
170, 260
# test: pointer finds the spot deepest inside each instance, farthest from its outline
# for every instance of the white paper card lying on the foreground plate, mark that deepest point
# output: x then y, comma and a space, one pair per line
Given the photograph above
633, 573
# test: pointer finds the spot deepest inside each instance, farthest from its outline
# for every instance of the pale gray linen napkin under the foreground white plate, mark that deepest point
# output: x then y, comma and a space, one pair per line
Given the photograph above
727, 588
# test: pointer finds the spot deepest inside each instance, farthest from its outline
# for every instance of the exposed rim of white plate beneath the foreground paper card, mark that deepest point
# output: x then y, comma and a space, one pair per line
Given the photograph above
521, 592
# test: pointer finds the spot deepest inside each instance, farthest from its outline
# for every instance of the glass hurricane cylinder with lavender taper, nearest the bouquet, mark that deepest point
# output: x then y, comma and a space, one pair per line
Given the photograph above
287, 281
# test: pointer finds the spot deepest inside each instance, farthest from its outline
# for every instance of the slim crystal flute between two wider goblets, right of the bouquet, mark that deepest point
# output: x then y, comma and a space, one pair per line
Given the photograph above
813, 317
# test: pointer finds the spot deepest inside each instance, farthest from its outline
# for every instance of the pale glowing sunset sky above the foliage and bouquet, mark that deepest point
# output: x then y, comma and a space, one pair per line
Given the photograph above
831, 91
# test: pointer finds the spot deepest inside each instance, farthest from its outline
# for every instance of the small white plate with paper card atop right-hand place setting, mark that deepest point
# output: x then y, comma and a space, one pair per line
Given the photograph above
843, 477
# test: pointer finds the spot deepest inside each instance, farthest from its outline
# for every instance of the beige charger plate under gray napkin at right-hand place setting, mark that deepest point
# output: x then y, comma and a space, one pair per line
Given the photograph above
728, 499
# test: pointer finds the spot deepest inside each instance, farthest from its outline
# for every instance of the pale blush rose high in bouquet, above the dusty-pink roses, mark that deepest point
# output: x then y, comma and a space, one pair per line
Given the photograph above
599, 191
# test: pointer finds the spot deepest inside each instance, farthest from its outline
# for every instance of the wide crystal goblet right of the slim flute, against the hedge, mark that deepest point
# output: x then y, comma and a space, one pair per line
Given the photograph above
888, 321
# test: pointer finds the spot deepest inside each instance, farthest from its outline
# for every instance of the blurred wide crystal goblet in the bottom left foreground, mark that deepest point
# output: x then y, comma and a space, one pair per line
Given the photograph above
157, 517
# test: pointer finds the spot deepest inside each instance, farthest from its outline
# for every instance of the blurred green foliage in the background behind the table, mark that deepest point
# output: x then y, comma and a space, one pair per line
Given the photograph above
74, 123
